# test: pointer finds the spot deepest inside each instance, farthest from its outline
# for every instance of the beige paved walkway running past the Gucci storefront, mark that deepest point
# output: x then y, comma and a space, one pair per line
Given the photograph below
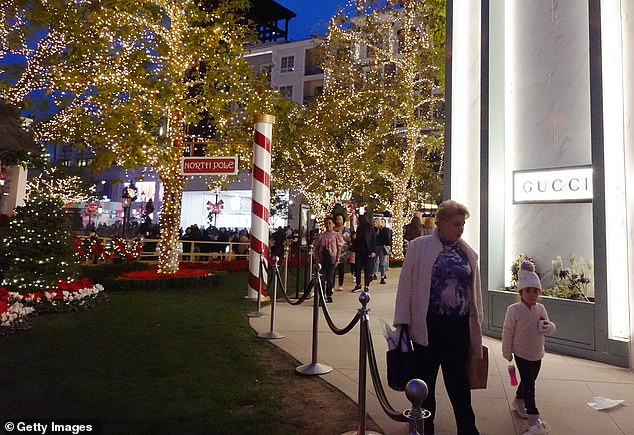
564, 386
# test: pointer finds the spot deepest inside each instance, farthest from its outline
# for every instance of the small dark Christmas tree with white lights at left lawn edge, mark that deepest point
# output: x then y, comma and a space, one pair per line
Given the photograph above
40, 245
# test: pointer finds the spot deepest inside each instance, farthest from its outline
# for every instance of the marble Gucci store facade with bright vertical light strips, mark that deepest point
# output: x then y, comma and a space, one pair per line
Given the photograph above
540, 147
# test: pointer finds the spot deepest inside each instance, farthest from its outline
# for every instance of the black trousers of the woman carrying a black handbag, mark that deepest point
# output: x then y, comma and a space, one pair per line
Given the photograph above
448, 349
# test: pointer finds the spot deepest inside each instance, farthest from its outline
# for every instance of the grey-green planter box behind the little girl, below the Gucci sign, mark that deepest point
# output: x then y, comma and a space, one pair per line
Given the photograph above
575, 320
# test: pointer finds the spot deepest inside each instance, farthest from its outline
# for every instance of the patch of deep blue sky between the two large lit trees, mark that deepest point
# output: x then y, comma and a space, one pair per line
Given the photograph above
312, 16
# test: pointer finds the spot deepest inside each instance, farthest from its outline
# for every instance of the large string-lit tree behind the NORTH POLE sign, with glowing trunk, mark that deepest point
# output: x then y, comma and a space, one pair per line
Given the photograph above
118, 76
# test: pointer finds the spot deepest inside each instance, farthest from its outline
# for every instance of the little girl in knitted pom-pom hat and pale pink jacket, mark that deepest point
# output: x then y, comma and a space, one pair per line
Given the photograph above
525, 325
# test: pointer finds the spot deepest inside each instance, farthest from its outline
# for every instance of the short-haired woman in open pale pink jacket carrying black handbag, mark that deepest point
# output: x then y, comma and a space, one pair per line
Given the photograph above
440, 300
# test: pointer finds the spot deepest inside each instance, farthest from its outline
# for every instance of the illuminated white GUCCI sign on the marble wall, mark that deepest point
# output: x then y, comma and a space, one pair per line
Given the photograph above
553, 185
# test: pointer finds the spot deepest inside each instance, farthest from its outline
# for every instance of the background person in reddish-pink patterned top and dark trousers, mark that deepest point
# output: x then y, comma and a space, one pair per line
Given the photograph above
327, 247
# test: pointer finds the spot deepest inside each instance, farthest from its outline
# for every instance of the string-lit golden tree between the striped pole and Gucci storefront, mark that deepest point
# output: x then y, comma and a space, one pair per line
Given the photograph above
376, 127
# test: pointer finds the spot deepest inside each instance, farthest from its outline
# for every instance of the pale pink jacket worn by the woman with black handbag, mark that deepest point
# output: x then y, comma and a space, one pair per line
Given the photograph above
412, 297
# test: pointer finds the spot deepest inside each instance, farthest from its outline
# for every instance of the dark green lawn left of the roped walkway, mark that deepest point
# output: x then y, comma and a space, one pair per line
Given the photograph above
168, 361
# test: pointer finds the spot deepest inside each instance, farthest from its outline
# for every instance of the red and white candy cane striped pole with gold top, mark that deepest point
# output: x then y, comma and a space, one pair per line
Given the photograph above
260, 202
